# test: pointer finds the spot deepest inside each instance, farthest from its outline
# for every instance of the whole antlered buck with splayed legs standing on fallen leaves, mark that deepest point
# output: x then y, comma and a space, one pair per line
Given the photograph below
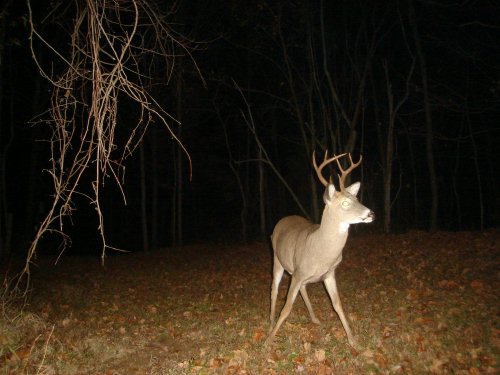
311, 252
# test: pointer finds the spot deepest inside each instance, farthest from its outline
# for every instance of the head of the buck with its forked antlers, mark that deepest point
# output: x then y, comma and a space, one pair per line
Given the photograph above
343, 202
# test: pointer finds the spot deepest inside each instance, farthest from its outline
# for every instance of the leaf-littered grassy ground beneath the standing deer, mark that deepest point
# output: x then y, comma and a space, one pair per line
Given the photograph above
418, 303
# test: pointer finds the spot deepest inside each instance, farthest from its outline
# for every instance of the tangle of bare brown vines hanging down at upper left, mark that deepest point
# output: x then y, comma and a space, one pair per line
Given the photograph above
110, 44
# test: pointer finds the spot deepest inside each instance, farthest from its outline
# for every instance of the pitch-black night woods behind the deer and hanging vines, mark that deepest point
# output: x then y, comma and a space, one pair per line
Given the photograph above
273, 52
